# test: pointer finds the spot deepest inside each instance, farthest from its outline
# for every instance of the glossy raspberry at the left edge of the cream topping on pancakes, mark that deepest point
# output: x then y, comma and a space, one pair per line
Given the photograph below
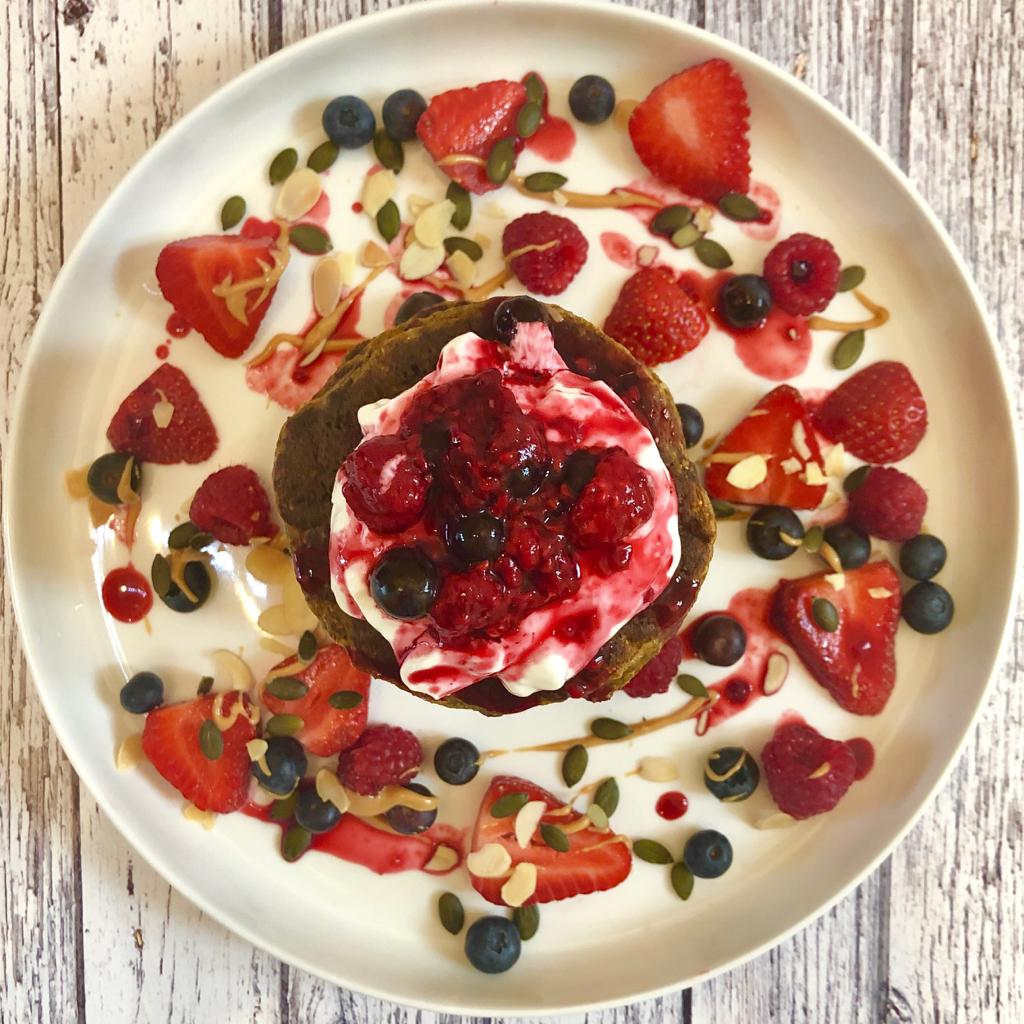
387, 483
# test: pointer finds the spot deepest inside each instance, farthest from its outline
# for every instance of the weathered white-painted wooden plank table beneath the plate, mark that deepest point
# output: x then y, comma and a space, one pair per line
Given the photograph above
91, 934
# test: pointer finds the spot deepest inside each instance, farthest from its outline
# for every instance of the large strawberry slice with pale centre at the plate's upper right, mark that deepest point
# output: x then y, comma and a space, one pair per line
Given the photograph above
692, 132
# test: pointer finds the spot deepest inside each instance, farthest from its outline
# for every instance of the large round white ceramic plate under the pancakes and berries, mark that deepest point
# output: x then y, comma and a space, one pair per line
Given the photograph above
96, 340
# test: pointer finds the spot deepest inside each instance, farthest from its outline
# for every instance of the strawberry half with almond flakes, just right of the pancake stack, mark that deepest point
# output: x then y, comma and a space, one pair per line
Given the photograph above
779, 430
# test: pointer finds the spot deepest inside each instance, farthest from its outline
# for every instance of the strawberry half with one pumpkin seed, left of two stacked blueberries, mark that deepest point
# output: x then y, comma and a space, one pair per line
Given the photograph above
856, 663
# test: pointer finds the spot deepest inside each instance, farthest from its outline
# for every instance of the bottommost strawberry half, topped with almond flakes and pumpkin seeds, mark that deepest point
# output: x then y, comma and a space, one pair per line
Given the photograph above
596, 861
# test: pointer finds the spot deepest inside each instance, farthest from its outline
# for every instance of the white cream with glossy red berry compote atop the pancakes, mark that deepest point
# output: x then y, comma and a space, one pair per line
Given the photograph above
531, 502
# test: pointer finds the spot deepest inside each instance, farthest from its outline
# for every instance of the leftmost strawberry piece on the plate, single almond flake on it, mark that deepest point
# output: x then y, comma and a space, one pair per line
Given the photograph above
188, 437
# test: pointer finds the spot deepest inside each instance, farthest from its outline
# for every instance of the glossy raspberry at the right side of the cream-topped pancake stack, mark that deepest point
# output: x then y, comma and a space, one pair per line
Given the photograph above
614, 504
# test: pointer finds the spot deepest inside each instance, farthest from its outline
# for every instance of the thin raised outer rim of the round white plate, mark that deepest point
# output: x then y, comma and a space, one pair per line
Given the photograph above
571, 9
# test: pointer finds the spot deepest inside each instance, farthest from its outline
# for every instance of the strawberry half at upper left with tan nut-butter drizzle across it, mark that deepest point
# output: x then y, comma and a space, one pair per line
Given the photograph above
189, 271
